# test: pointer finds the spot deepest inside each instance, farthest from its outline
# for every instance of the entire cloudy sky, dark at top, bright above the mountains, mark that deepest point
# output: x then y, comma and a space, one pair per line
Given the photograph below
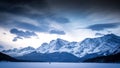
32, 22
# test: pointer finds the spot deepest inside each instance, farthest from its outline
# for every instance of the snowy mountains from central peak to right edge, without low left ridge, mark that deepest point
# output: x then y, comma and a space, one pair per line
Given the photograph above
108, 44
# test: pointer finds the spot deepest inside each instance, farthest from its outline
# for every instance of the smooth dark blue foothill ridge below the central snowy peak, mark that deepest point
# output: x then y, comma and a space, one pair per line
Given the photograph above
49, 57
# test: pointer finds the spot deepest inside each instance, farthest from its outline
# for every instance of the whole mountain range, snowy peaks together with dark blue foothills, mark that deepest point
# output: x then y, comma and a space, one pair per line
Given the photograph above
60, 50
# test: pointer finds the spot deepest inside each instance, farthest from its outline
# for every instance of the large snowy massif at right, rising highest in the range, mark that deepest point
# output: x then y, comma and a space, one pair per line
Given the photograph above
108, 44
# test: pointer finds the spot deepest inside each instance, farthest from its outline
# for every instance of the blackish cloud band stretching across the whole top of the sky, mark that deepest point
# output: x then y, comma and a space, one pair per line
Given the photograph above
47, 6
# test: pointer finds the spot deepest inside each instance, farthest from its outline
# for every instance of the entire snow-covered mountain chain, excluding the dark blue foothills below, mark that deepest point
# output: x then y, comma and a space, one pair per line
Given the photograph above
100, 46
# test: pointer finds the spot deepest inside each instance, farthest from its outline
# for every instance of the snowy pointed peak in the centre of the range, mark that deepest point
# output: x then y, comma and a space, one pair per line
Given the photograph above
53, 46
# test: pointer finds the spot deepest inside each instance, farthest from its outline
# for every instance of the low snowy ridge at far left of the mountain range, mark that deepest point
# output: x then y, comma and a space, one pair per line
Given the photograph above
19, 52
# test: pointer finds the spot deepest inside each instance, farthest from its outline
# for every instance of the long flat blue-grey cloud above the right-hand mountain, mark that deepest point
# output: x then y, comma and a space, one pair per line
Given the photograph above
99, 27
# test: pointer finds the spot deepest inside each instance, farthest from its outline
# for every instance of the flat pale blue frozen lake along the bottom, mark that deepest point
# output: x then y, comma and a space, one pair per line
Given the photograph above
56, 65
